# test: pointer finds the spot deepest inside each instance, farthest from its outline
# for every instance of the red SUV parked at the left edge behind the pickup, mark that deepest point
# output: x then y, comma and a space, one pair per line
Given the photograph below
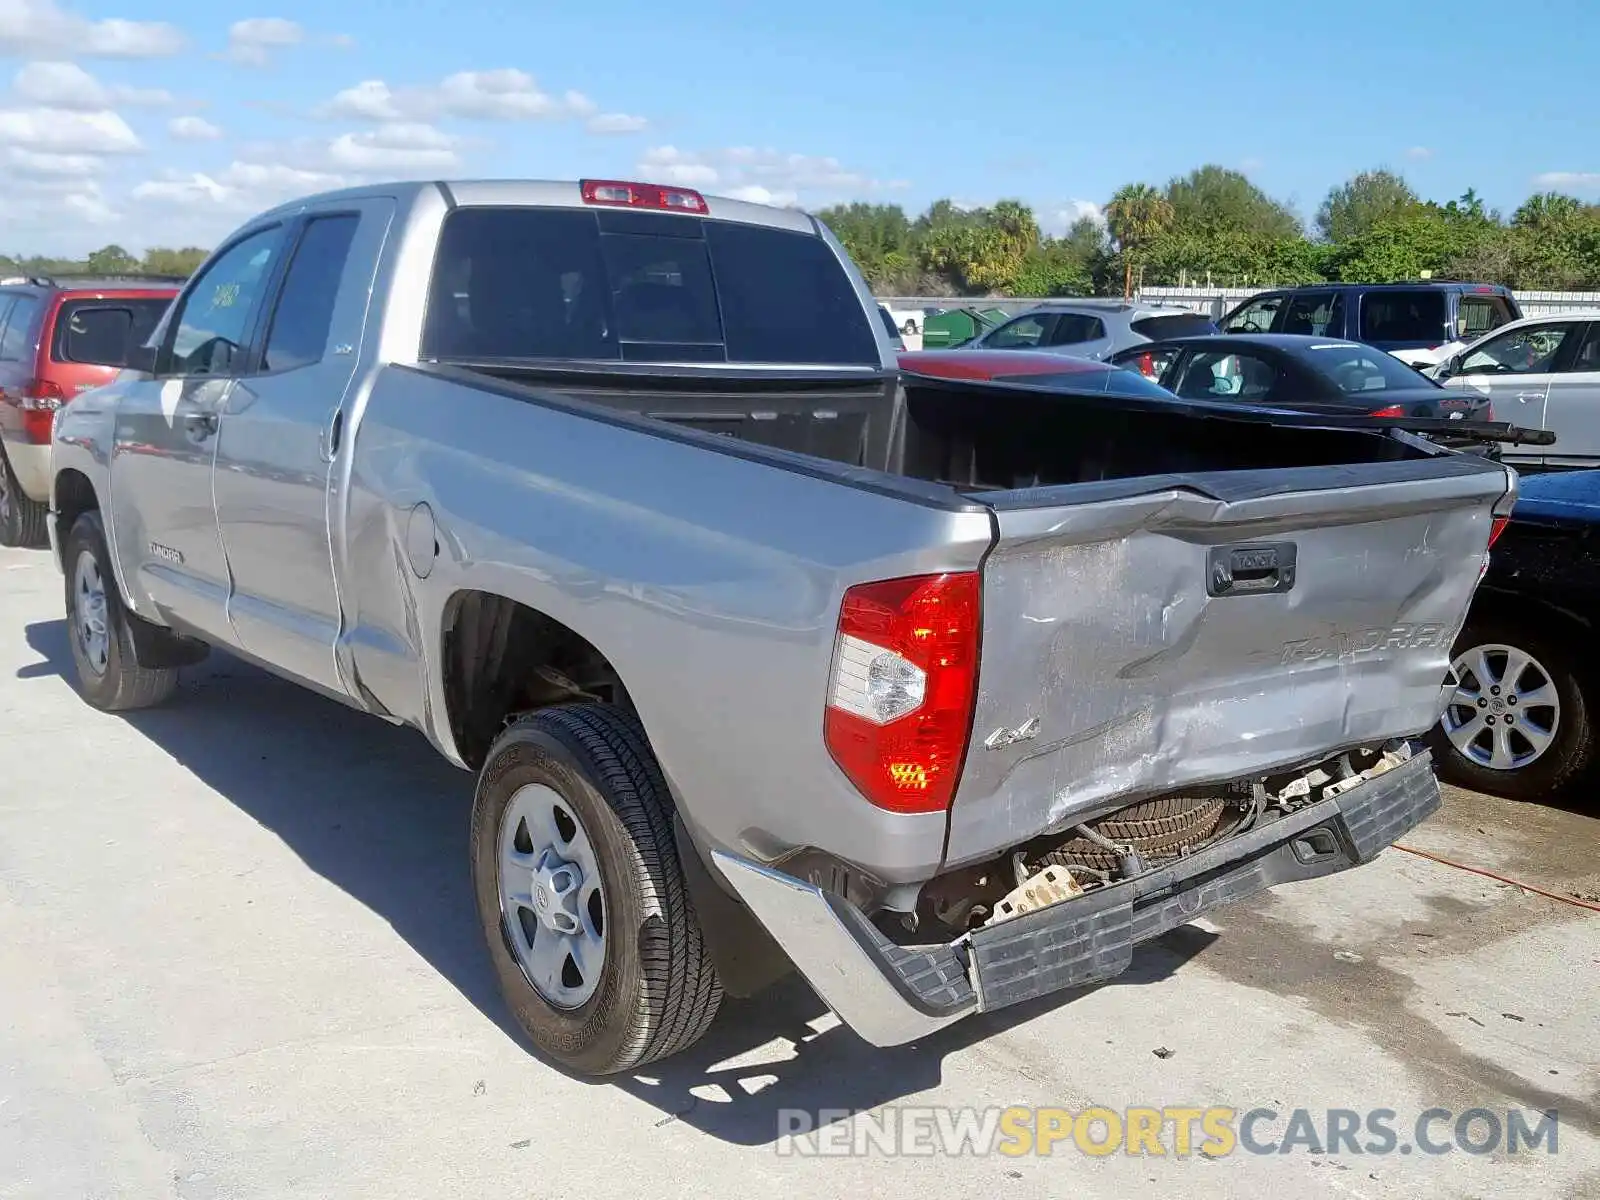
60, 338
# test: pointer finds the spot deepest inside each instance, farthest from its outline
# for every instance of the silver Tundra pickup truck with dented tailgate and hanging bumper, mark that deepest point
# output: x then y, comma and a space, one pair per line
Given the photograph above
945, 694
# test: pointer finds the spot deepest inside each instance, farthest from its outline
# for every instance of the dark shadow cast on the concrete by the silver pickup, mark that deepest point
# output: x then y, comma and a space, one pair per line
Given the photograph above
377, 812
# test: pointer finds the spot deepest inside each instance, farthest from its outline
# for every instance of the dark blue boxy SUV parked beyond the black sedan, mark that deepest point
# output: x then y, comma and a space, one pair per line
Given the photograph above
1410, 321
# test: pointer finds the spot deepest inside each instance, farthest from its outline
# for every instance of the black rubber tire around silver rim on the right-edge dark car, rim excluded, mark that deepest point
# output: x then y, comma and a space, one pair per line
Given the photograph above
1570, 754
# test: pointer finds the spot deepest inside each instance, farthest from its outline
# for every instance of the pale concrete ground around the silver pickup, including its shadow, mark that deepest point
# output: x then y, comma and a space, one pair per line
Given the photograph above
239, 959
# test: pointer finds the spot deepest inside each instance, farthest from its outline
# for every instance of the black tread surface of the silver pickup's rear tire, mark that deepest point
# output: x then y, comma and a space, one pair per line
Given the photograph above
682, 993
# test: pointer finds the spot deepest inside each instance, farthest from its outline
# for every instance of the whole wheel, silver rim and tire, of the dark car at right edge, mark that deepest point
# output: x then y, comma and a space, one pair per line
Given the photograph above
1518, 722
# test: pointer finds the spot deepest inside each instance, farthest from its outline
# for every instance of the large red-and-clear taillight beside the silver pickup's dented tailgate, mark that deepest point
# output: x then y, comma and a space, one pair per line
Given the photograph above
900, 705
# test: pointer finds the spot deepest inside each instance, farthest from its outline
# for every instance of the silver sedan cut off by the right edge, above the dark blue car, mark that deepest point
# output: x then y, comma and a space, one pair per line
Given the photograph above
1543, 374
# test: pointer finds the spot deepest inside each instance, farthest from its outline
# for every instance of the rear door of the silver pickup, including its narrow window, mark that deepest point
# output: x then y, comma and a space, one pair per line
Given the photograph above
281, 433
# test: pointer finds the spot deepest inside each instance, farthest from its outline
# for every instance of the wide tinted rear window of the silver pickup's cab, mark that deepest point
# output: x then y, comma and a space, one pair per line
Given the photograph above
639, 287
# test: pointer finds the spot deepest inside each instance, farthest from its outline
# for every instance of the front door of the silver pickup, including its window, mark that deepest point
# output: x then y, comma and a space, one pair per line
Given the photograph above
162, 518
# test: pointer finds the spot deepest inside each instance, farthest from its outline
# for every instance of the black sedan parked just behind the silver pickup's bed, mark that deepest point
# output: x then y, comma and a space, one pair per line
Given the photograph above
1300, 374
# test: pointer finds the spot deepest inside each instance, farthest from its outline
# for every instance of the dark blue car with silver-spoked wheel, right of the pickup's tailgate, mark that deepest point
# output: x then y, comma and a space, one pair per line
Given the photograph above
1522, 718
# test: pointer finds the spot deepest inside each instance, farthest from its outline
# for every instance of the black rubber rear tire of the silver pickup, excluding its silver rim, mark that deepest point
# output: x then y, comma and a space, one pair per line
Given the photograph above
657, 991
